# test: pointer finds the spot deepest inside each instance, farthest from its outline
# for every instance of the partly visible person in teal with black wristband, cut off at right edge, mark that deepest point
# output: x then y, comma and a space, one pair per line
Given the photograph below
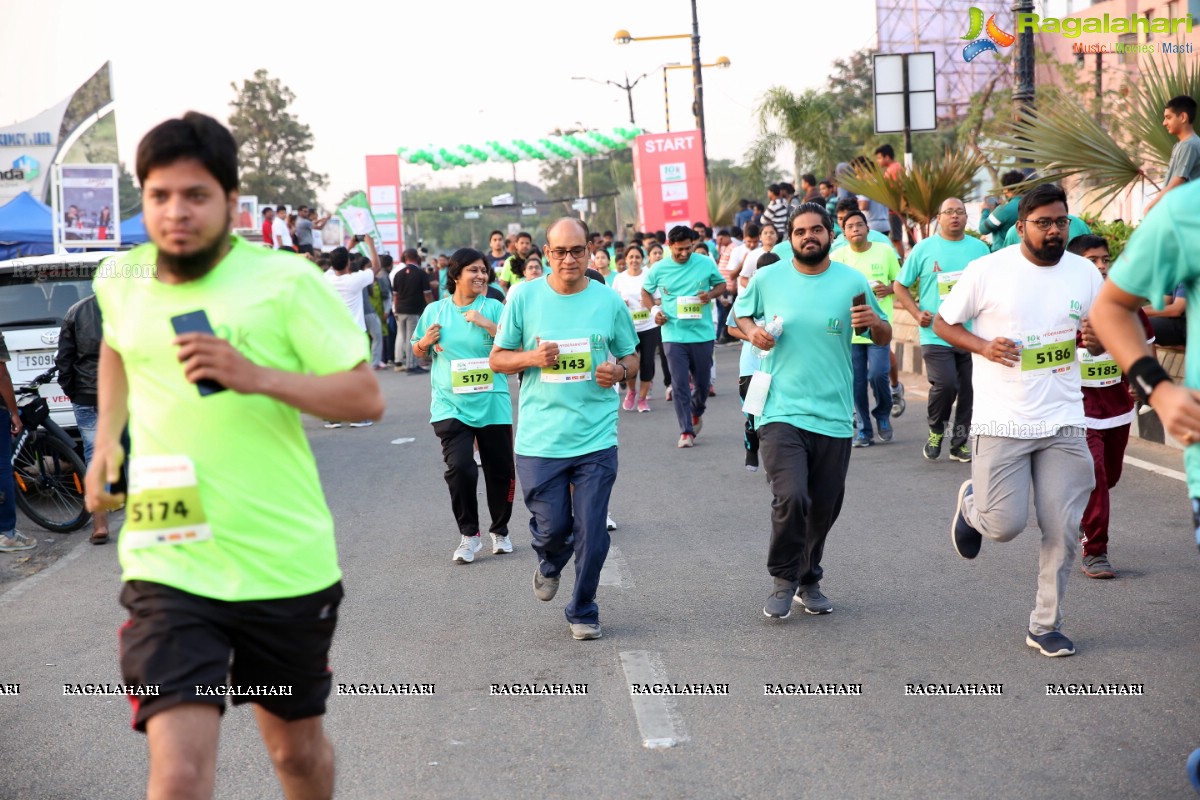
1161, 255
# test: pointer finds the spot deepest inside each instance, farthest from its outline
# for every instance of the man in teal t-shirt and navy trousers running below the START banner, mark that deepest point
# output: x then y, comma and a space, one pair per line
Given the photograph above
688, 282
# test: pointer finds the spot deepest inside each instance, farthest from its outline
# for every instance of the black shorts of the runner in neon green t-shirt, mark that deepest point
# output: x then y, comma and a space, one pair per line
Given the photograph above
274, 653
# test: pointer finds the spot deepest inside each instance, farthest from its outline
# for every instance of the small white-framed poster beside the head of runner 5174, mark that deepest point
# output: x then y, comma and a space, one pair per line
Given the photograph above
88, 206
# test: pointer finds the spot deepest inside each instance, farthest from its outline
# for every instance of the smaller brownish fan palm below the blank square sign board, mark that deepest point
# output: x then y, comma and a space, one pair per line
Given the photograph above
922, 189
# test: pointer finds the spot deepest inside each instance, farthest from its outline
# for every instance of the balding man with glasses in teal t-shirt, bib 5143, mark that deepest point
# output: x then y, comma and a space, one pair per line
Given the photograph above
560, 332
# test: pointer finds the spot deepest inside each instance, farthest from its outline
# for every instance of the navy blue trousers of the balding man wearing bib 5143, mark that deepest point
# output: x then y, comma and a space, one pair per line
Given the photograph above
561, 524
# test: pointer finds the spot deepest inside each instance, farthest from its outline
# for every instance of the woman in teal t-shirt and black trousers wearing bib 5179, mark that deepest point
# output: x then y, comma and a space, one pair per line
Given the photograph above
470, 404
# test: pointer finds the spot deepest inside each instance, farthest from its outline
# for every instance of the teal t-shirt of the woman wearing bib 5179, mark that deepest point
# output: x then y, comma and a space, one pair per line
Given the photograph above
461, 344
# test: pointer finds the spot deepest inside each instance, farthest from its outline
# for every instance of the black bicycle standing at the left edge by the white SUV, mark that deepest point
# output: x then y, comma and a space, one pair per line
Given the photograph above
47, 471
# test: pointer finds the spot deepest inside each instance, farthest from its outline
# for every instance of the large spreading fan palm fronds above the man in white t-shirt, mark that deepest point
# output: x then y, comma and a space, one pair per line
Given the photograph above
1063, 141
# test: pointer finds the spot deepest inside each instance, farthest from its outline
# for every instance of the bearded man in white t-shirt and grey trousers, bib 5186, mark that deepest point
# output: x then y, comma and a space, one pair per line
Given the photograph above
1029, 308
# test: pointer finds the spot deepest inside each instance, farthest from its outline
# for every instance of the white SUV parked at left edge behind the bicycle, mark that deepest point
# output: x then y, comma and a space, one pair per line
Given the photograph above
35, 293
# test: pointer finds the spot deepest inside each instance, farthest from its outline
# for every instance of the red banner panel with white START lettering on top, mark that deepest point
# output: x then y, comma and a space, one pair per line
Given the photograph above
669, 179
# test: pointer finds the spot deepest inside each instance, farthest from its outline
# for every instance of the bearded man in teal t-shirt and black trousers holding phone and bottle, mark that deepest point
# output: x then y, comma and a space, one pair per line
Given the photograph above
806, 426
